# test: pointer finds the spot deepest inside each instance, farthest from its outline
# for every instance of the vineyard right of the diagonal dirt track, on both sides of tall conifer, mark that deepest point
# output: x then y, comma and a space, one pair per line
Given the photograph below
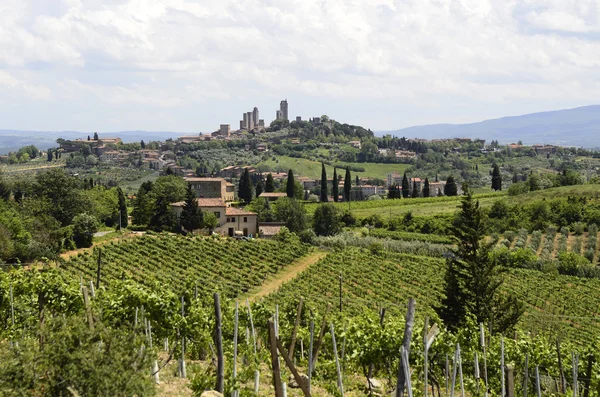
559, 306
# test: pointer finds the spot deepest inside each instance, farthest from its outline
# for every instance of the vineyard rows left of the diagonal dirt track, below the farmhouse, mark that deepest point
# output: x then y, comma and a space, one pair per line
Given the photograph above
171, 262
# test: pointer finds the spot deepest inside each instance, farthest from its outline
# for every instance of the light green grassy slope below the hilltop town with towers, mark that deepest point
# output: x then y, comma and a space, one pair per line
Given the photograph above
312, 169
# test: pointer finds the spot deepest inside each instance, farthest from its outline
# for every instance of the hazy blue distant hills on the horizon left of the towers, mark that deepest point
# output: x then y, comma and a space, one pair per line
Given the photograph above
12, 140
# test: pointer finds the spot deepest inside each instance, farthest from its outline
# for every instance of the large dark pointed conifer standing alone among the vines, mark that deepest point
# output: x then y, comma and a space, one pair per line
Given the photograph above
473, 280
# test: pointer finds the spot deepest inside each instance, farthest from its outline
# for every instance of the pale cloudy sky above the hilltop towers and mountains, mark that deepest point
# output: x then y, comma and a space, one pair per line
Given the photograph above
188, 66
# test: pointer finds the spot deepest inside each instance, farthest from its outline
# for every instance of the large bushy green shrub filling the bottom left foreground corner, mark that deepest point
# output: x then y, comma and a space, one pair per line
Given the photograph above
100, 362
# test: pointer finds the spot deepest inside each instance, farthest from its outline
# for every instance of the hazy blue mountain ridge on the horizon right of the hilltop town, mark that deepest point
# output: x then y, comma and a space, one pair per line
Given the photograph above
571, 127
